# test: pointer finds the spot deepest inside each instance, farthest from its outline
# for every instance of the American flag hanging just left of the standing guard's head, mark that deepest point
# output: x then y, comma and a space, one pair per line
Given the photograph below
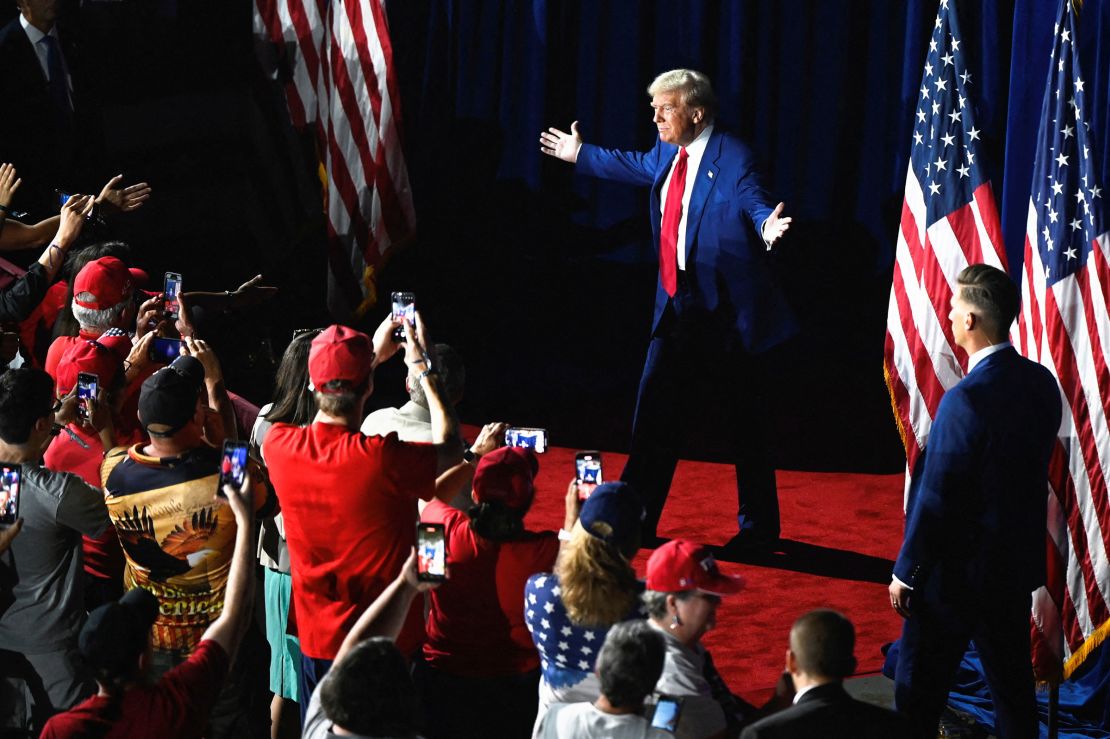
948, 221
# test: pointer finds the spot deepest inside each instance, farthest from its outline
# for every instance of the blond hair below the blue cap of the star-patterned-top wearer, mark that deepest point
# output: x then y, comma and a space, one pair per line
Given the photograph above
597, 583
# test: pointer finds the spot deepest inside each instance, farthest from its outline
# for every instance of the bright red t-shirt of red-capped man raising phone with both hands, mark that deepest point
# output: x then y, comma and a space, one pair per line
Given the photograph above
349, 503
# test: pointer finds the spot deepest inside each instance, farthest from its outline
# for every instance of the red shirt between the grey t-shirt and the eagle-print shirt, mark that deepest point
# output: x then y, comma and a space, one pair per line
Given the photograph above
103, 556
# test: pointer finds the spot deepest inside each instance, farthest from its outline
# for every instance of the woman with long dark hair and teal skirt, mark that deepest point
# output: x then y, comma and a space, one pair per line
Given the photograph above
294, 404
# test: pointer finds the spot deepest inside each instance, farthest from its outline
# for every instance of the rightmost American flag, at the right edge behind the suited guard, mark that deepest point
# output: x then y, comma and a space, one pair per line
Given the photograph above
1064, 325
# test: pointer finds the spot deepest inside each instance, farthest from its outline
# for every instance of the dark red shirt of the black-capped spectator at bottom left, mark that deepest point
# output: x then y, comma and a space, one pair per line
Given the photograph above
177, 706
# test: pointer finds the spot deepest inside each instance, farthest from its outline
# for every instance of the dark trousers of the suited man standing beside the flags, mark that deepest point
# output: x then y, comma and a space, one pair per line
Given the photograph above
934, 641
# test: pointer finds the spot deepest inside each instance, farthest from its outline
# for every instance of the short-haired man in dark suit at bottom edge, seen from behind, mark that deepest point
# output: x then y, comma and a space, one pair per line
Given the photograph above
820, 659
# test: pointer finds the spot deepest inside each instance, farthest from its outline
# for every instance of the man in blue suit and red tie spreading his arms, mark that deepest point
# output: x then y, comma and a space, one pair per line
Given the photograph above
717, 305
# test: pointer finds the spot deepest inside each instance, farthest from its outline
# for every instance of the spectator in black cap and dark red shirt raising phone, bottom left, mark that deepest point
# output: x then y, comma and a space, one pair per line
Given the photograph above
117, 645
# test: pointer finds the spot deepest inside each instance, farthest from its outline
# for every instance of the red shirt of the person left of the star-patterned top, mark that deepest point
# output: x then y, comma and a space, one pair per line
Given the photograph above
476, 627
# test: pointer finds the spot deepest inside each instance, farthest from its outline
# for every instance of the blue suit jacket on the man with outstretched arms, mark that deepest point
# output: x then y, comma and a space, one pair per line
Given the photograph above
726, 260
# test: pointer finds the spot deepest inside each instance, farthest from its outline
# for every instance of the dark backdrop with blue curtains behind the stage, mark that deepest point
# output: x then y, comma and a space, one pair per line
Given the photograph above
544, 280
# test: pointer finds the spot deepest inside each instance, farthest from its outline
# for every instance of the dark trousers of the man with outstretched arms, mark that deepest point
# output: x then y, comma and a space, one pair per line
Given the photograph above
697, 367
